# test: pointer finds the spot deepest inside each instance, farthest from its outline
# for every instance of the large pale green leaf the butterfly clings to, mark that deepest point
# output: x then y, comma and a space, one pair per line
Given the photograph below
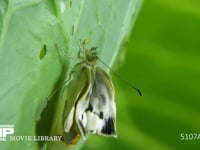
33, 34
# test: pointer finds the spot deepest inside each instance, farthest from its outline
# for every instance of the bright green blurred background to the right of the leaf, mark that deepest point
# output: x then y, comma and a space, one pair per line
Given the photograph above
163, 60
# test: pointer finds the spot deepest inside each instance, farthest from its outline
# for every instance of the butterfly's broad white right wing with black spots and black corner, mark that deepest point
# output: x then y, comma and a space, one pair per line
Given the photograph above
101, 111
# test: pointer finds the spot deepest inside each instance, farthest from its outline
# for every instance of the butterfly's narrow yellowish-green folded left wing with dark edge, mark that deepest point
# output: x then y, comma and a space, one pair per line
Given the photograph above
75, 93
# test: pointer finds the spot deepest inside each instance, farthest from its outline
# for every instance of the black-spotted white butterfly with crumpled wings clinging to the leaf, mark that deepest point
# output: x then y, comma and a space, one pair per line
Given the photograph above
89, 95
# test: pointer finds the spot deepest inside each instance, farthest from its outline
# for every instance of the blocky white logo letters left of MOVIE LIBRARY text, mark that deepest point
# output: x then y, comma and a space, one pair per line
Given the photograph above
5, 130
